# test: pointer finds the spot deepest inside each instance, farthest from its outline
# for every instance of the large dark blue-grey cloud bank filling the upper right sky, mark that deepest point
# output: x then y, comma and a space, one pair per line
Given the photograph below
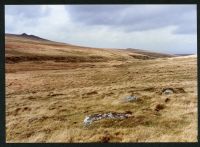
137, 17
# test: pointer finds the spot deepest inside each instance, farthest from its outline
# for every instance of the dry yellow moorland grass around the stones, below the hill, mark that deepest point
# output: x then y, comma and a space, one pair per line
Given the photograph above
47, 101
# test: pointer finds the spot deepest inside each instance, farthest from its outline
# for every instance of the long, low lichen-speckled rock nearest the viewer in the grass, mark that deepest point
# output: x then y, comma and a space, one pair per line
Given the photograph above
111, 115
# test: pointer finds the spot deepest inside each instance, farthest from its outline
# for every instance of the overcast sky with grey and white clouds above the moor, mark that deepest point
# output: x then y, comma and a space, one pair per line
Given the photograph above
160, 28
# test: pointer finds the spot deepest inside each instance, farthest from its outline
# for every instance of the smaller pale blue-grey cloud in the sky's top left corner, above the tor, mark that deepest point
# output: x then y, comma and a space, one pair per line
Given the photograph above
24, 16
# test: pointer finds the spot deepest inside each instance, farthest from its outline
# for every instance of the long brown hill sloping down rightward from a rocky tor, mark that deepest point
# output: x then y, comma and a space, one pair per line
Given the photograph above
25, 47
